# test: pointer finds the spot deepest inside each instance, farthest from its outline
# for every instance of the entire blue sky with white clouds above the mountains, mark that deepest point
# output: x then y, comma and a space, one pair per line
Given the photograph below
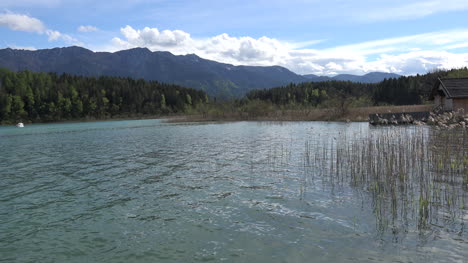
318, 37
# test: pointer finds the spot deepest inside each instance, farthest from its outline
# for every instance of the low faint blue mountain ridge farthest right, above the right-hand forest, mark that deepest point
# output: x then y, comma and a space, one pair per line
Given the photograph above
372, 77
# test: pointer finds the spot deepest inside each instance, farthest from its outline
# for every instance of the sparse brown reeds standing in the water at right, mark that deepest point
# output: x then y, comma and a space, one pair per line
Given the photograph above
416, 177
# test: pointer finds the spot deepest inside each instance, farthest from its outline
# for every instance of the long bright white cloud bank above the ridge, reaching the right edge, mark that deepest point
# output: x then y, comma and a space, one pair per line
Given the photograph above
404, 55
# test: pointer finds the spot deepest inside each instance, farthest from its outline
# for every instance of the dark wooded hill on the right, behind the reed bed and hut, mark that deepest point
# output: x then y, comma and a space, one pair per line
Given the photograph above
409, 90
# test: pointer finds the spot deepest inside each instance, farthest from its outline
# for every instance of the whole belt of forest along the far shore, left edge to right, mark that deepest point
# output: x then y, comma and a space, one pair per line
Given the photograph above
42, 97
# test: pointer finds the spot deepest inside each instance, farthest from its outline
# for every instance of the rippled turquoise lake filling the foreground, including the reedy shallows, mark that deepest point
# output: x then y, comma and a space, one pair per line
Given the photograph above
150, 191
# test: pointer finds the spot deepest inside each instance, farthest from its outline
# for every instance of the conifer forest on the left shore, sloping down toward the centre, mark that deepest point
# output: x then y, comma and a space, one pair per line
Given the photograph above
41, 97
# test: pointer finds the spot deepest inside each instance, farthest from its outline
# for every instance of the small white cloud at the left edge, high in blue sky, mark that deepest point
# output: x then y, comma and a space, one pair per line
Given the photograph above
19, 22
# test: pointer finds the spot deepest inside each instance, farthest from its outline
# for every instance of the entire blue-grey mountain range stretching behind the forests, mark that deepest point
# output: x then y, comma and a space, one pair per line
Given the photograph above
217, 79
